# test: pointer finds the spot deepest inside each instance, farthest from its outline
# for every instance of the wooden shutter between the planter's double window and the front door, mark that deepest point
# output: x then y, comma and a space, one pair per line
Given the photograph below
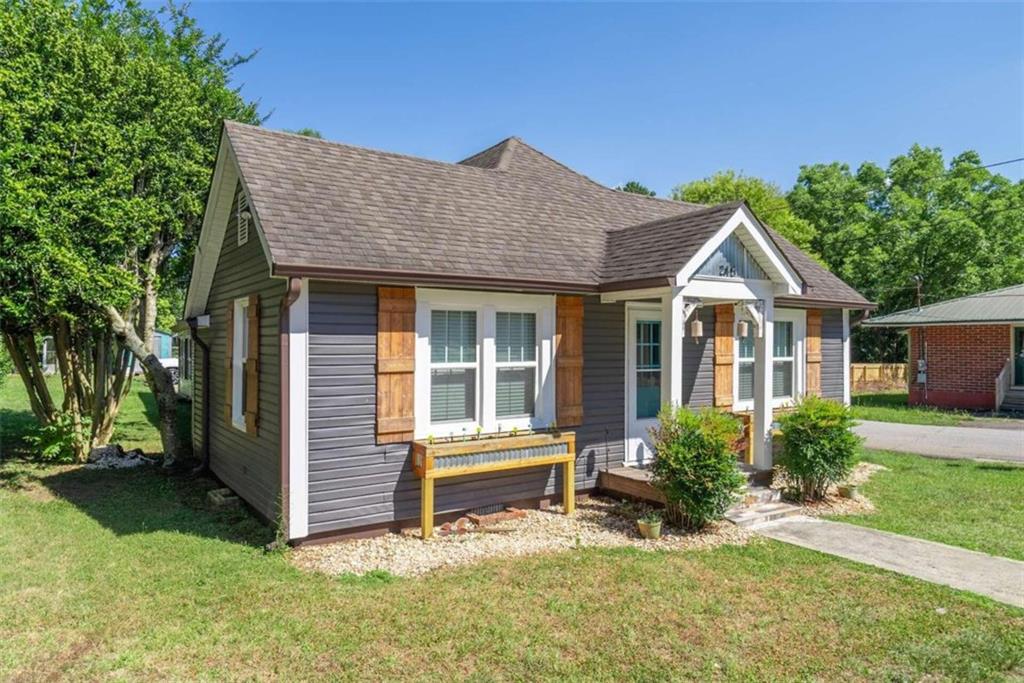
569, 361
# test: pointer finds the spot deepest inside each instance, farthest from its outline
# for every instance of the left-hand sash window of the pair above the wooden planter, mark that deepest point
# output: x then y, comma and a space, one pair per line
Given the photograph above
453, 366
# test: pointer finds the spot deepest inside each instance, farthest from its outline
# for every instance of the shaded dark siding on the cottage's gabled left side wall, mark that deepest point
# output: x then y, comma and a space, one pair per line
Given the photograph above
249, 465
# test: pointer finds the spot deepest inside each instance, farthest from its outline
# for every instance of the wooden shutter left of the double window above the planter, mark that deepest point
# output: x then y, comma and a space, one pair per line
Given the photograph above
396, 364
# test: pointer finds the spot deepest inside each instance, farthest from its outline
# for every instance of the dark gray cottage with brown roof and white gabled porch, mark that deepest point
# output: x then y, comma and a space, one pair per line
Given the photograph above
354, 311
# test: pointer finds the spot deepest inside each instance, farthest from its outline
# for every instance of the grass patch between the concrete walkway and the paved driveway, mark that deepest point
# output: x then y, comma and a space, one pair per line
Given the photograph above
973, 505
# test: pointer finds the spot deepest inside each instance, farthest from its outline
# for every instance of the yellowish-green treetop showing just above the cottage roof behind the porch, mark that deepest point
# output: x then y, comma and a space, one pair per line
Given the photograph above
764, 198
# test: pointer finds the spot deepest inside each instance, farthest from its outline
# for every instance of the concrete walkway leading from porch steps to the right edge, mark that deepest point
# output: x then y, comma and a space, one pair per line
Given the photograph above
998, 578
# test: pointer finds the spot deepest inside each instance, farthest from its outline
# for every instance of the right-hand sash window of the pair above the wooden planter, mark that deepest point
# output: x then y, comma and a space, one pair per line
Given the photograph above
516, 365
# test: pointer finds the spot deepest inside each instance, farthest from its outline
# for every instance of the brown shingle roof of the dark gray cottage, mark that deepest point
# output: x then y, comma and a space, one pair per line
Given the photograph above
508, 214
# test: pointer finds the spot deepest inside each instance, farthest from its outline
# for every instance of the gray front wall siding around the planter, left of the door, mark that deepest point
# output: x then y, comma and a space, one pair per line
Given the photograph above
355, 483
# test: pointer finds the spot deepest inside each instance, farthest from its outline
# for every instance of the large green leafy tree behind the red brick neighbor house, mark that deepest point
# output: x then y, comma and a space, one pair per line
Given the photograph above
956, 227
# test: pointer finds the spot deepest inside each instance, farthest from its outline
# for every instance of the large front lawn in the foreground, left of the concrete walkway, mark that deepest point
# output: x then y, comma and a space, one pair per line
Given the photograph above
129, 575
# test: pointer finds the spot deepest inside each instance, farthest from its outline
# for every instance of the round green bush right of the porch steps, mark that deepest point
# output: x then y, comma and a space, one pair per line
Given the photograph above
819, 446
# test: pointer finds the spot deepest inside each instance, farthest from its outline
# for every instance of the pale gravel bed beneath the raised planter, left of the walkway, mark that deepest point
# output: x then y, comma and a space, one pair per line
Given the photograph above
598, 523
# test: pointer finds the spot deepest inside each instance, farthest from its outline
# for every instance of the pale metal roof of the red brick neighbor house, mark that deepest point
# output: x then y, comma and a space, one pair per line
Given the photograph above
1005, 306
